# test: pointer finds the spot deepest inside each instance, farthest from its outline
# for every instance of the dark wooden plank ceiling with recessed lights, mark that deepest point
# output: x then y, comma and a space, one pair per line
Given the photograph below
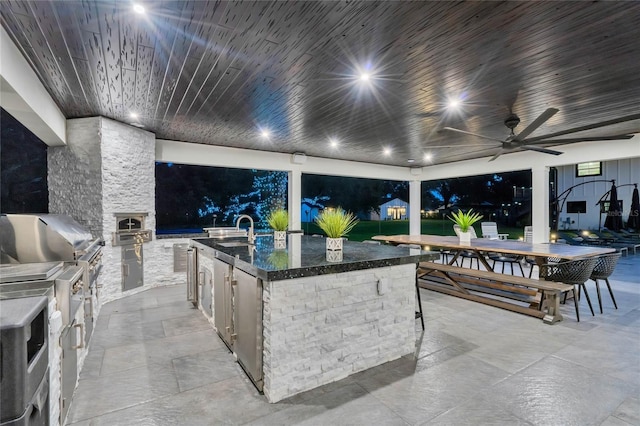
216, 72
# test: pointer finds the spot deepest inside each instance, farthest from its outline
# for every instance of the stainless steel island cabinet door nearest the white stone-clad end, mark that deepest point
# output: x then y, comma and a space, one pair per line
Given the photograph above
247, 321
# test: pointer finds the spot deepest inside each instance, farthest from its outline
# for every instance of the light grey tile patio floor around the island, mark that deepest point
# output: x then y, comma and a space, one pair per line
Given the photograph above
154, 360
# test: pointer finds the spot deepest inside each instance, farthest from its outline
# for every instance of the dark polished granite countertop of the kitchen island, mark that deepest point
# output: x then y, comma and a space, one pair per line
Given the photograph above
306, 256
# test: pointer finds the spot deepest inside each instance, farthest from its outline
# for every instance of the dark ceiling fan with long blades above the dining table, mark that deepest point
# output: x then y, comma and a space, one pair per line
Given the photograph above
521, 141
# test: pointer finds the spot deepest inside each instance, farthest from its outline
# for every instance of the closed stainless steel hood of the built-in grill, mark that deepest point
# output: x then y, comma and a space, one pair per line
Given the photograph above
31, 238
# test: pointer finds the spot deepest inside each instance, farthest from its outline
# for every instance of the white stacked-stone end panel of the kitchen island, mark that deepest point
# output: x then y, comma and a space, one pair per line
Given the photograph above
321, 329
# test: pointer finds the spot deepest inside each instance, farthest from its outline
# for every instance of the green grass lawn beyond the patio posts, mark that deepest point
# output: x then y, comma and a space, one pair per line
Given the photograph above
366, 229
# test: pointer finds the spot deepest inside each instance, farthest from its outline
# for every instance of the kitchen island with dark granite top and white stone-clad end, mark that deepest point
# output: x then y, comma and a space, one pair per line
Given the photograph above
296, 321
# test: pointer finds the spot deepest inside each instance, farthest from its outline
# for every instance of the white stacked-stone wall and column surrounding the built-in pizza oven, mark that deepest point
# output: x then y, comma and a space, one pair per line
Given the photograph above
106, 168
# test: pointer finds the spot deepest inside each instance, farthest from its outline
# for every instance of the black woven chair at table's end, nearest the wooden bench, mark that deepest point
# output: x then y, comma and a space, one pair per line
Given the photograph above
575, 272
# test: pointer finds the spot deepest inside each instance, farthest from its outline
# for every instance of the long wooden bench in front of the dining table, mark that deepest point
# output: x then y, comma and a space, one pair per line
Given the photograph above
519, 294
